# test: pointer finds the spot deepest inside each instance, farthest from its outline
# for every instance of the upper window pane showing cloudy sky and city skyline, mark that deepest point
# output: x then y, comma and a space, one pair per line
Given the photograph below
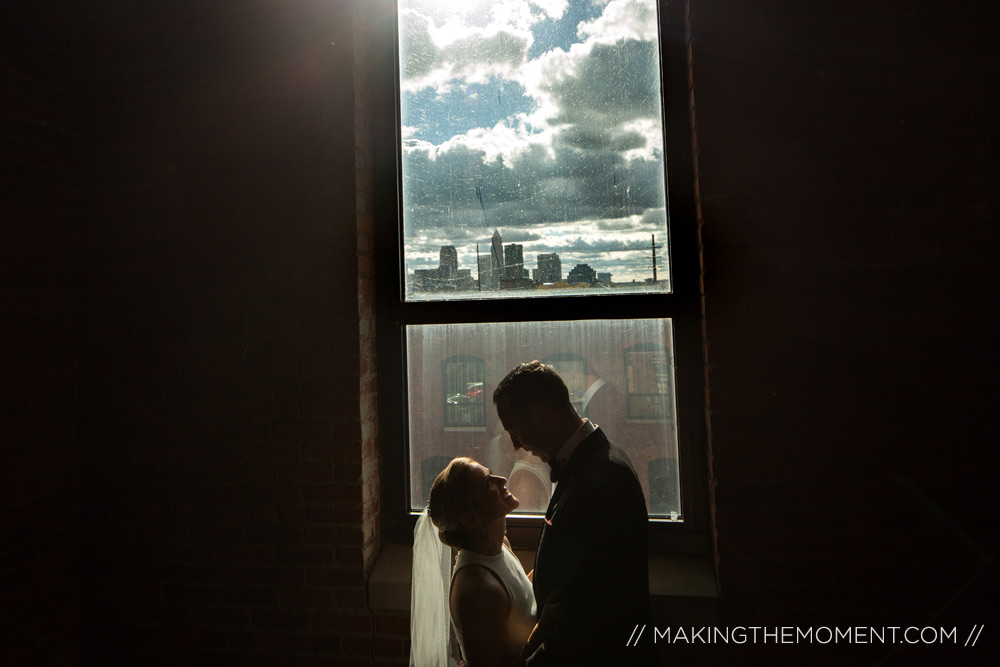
532, 153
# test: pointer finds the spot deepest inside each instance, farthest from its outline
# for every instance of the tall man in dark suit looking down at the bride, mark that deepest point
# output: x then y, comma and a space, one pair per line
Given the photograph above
592, 555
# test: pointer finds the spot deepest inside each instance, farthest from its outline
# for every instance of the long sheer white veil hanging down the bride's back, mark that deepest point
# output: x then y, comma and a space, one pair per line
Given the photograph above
430, 616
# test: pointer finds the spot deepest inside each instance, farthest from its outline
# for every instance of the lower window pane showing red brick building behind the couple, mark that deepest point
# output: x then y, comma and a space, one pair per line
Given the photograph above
620, 376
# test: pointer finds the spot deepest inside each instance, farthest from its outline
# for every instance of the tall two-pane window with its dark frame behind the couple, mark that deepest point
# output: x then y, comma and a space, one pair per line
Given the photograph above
538, 205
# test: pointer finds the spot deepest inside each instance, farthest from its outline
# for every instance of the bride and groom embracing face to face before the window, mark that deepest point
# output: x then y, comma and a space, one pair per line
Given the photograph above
590, 585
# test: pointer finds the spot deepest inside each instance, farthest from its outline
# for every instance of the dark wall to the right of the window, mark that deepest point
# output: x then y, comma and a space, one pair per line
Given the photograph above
849, 197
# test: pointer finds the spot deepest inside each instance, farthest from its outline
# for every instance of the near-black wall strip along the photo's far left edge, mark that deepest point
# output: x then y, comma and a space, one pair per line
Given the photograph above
39, 491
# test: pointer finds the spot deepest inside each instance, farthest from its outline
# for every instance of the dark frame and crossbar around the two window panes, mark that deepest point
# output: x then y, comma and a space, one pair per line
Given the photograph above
682, 305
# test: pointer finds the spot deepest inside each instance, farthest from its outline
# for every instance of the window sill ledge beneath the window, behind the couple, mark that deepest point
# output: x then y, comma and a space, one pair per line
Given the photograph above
669, 576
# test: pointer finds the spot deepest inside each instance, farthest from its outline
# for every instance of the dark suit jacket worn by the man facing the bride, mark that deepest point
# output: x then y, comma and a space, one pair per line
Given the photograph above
593, 553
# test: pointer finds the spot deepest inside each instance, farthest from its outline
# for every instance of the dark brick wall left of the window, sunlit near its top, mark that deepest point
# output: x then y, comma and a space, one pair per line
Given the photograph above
224, 510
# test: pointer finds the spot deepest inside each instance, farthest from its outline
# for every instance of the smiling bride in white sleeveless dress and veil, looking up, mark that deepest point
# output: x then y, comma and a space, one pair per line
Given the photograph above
490, 599
